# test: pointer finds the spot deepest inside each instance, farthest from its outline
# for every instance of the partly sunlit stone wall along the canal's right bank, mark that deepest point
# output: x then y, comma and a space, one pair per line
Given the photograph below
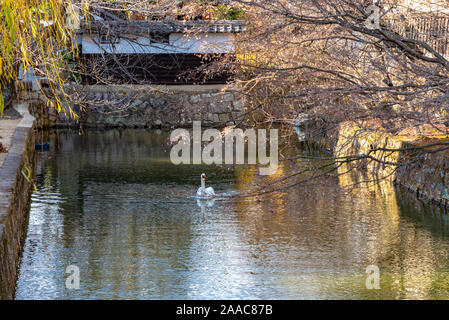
428, 177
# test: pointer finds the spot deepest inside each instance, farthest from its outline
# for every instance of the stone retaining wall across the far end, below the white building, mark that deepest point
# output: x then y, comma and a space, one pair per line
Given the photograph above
143, 107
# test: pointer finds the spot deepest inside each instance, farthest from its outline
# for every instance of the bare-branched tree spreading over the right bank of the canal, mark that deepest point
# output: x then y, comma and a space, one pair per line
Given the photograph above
382, 67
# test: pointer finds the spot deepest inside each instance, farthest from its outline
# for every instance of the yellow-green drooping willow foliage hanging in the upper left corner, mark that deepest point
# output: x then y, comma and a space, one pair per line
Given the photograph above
36, 36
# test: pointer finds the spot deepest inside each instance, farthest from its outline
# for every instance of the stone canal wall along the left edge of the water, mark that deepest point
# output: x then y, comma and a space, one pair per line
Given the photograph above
15, 191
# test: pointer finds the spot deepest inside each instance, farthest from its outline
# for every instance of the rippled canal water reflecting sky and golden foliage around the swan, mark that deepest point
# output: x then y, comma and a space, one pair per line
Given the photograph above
112, 204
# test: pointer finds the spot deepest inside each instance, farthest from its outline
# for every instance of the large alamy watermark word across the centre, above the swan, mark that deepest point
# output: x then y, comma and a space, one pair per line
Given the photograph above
212, 153
